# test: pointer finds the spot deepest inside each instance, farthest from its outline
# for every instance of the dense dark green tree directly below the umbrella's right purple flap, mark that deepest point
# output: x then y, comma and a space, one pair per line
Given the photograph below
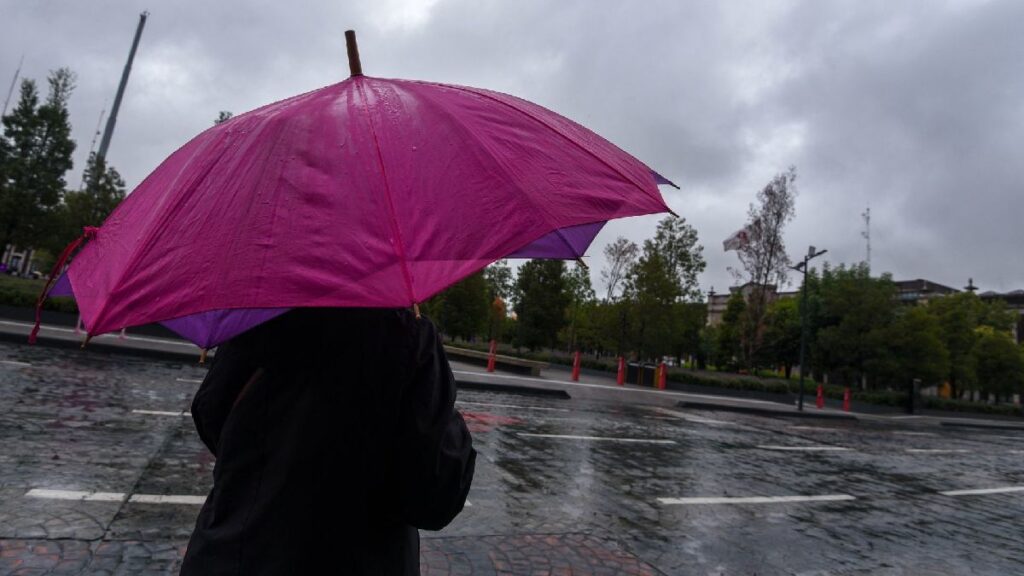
541, 297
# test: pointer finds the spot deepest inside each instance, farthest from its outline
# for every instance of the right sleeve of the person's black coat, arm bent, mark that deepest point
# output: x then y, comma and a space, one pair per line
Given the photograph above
437, 457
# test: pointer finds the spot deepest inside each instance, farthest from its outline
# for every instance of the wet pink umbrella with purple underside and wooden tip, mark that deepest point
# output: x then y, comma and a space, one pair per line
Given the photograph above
366, 193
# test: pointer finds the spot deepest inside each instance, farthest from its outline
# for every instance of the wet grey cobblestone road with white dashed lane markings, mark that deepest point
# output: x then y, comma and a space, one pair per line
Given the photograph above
563, 486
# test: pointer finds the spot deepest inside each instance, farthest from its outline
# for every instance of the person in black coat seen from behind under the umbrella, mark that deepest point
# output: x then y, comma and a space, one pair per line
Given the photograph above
336, 438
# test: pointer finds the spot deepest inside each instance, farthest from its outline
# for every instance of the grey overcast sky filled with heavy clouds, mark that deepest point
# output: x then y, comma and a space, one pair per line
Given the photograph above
915, 109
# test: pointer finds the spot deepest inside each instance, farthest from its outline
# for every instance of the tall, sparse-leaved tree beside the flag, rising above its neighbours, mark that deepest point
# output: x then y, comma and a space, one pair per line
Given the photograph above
763, 255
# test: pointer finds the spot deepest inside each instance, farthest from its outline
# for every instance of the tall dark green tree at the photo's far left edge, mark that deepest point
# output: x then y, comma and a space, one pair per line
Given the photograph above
35, 154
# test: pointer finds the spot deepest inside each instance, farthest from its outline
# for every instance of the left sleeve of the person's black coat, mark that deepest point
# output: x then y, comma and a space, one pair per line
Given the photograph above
231, 371
